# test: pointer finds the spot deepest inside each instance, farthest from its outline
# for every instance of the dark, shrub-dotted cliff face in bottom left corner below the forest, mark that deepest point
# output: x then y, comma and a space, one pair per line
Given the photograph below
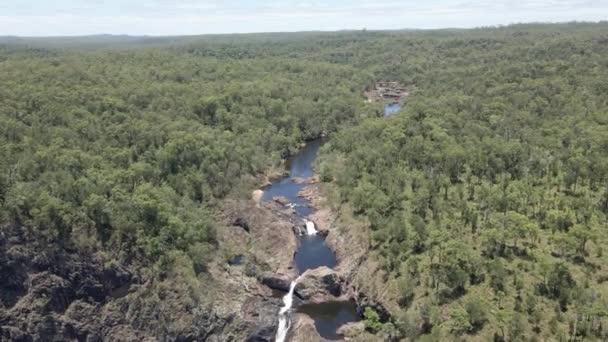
51, 293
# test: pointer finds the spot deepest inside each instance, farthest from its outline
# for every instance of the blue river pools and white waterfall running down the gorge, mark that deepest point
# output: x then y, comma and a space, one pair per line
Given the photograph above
312, 251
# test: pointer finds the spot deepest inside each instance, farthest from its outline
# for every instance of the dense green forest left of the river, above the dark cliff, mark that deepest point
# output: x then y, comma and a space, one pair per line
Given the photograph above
129, 151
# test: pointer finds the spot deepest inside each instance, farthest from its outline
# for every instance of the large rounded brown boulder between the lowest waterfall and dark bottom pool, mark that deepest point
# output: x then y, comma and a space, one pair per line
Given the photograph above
318, 285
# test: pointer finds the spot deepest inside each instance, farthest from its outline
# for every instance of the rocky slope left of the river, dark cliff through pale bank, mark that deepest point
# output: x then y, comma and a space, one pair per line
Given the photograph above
51, 293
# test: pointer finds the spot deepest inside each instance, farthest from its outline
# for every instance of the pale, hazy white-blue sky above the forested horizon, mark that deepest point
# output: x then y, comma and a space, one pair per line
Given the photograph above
187, 17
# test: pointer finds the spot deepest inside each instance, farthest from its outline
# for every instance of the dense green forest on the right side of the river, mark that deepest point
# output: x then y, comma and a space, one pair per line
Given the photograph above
487, 196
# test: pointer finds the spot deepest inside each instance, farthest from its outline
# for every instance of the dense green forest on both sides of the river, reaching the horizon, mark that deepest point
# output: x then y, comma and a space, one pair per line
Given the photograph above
485, 198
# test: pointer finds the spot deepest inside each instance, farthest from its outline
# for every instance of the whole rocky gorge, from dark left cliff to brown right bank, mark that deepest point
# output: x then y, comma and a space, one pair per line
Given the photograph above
49, 292
